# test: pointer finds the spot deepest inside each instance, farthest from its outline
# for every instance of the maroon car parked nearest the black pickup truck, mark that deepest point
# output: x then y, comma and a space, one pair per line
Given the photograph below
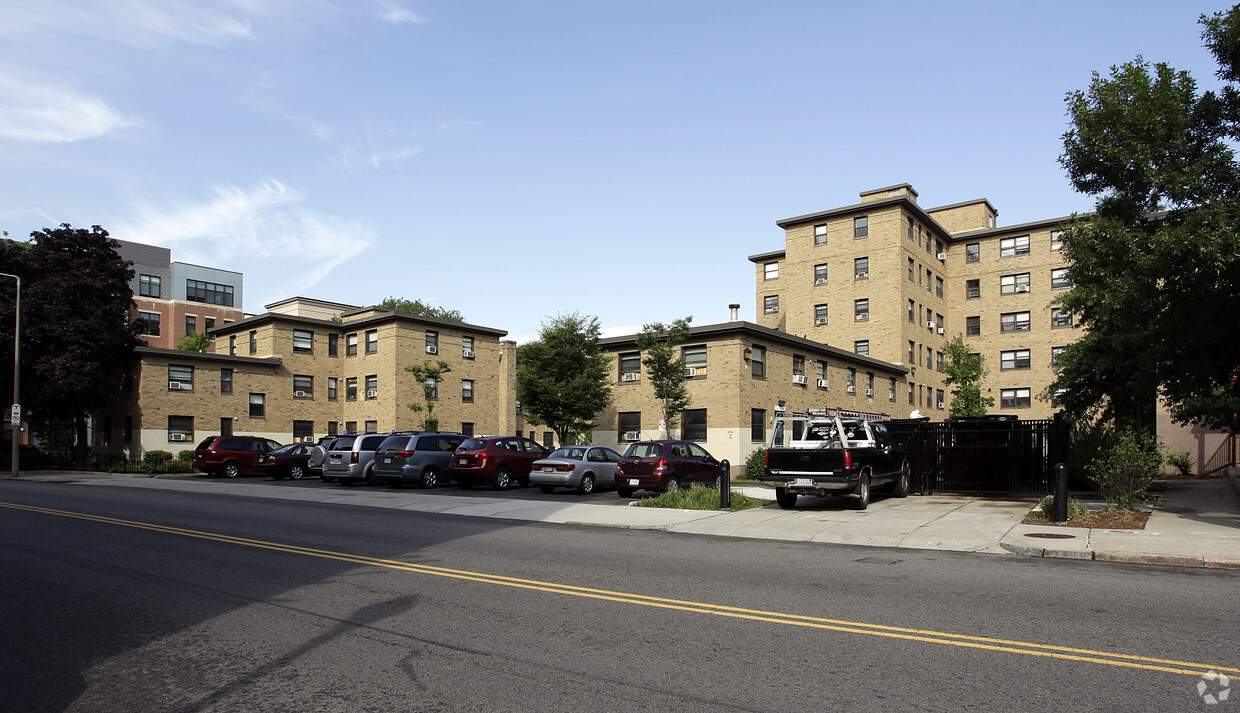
666, 466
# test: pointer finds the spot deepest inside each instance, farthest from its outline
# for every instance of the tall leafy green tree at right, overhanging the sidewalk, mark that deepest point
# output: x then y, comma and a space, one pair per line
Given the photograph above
1156, 270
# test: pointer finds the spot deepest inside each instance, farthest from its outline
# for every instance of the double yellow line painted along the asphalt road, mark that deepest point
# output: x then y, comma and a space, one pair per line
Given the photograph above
922, 635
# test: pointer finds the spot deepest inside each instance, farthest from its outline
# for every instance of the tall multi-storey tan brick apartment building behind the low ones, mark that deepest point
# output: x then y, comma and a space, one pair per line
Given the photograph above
892, 281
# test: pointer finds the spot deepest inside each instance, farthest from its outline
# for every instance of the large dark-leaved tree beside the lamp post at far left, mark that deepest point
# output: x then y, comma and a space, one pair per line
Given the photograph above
76, 335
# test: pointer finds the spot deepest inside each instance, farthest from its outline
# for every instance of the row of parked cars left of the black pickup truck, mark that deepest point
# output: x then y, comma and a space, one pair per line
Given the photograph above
432, 458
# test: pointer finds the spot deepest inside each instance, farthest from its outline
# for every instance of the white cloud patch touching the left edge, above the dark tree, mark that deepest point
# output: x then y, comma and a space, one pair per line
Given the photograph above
37, 112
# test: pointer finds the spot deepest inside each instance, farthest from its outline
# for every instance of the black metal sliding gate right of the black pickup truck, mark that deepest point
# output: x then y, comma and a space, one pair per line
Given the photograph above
984, 454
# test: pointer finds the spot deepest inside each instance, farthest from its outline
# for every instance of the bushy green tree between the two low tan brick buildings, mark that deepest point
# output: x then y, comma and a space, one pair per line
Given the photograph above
564, 376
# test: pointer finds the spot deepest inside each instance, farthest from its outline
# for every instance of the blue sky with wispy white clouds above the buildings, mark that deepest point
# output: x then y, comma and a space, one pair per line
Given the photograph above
518, 162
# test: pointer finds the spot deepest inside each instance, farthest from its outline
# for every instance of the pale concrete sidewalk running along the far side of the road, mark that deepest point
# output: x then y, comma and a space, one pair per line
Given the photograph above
1195, 523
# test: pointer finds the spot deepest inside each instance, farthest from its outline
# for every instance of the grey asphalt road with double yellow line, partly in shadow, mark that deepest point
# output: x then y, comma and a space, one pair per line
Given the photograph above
126, 600
